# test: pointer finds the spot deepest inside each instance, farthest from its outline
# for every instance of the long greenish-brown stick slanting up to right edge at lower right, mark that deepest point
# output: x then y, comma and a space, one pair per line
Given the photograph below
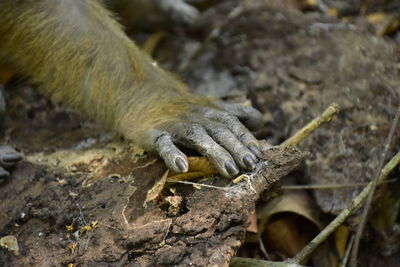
352, 207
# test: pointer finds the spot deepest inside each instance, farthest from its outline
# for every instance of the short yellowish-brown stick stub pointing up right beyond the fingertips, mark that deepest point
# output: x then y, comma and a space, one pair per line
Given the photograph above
303, 133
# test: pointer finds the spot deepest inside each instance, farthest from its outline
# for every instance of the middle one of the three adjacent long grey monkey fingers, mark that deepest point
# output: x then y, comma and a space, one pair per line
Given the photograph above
242, 155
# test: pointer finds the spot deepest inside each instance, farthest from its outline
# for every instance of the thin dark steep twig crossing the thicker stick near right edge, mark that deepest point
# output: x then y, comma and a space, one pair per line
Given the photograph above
361, 226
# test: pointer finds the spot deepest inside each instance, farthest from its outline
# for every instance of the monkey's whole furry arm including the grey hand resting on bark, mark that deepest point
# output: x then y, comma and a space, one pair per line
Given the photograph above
76, 53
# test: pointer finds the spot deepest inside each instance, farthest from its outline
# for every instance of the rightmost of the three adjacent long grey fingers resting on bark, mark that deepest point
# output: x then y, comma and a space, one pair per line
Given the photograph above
237, 128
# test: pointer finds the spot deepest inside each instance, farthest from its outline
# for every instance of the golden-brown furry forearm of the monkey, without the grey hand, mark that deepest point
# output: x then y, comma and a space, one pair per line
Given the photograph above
75, 52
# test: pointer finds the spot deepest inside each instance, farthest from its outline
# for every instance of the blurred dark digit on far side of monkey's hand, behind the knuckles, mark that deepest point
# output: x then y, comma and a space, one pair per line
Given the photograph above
249, 116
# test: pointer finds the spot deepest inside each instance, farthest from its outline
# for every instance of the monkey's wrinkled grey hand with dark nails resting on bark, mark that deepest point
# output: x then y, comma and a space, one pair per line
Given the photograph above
216, 131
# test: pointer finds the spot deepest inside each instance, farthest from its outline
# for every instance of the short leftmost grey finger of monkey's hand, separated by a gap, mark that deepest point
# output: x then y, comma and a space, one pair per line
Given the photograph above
172, 156
